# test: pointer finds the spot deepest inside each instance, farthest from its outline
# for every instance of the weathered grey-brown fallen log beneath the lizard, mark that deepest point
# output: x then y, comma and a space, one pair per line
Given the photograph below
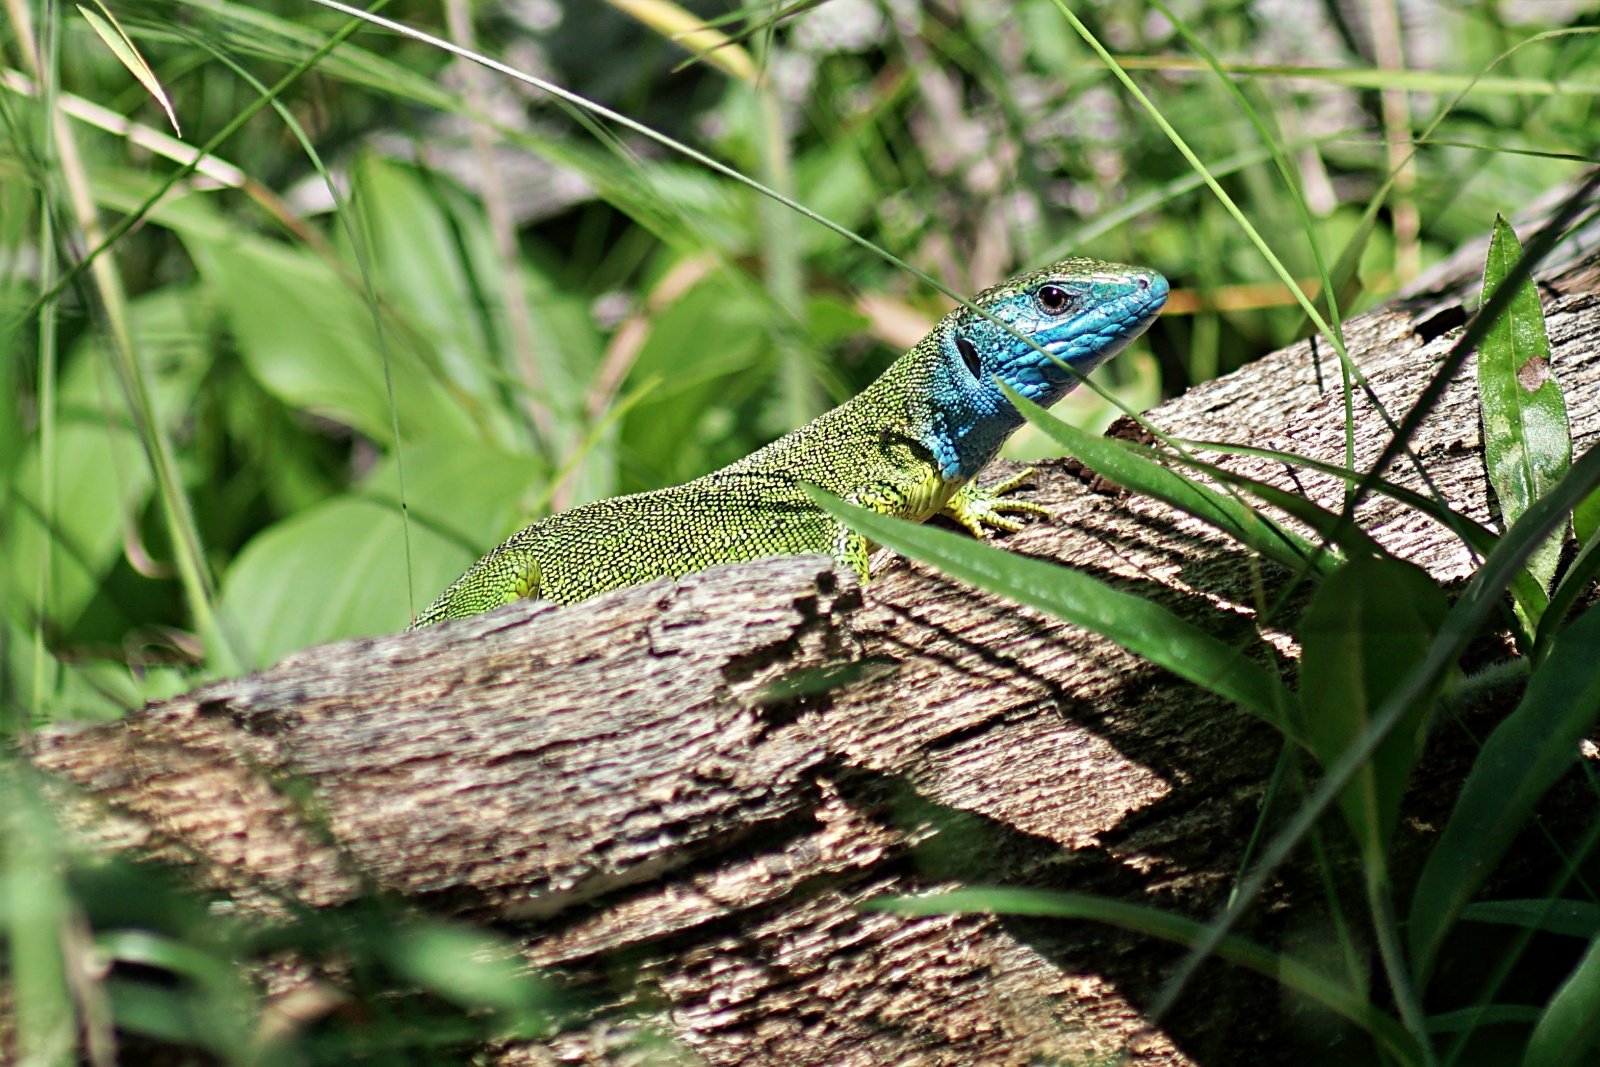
705, 778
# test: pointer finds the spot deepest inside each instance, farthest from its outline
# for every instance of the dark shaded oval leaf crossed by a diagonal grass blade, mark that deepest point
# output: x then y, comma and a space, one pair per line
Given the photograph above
1367, 628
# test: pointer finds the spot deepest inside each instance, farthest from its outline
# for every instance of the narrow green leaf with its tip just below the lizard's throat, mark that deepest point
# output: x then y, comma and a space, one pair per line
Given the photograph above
1130, 470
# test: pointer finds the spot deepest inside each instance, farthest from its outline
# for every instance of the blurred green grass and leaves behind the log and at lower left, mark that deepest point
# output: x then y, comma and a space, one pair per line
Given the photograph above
402, 305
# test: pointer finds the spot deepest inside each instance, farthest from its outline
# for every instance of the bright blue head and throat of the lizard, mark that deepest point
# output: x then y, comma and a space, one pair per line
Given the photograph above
1079, 311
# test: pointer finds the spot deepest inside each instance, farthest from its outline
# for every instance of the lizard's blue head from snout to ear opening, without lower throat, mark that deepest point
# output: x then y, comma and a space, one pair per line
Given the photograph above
1079, 311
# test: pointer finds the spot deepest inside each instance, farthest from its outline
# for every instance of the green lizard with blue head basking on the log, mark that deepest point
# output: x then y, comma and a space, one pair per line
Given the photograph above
910, 446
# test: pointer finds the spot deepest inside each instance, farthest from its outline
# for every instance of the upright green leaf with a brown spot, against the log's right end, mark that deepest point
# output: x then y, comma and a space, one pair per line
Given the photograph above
1527, 441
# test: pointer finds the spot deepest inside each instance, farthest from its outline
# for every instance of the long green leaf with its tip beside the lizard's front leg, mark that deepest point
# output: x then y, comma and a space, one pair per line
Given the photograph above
1135, 623
